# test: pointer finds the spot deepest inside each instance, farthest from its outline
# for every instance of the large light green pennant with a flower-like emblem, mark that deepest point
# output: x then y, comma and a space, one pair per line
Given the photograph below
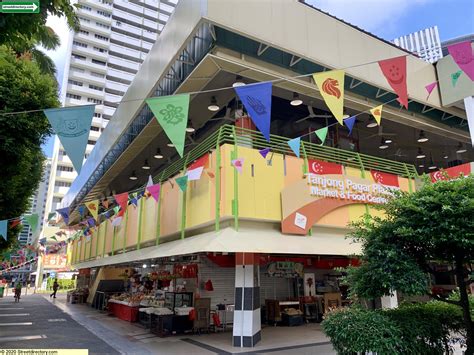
172, 115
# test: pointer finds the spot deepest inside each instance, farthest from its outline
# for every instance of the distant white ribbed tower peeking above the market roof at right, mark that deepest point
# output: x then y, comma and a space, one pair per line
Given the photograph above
425, 43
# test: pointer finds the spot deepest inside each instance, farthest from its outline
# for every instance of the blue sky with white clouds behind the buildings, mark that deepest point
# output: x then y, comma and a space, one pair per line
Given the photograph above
387, 19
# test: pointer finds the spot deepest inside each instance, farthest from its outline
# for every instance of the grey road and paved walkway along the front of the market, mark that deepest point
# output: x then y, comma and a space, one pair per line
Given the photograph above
38, 322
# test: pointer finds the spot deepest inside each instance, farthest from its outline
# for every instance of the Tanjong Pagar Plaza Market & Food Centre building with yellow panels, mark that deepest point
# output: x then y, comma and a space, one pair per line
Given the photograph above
256, 234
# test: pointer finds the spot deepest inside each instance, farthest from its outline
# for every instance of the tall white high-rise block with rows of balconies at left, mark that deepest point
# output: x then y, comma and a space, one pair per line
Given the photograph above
104, 55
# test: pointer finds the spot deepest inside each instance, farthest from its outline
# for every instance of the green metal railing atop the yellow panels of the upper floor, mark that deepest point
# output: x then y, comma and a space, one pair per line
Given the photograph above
229, 134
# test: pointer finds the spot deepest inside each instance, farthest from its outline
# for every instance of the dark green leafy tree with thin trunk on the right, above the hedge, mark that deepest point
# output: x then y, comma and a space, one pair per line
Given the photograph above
433, 224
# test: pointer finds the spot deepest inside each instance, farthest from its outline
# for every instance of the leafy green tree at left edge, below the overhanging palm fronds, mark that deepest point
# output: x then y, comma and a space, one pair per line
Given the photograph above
23, 87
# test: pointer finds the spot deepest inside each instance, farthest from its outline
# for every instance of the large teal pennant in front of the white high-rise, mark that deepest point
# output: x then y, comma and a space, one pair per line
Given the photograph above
72, 125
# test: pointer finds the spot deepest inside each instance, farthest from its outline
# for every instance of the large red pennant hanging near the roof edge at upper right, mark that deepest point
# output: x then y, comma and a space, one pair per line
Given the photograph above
395, 71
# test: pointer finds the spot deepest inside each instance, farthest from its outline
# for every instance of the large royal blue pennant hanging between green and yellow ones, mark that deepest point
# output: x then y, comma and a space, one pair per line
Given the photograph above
257, 99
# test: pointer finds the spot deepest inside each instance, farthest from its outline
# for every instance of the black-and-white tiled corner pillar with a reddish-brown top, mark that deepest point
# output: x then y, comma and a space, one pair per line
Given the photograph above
247, 322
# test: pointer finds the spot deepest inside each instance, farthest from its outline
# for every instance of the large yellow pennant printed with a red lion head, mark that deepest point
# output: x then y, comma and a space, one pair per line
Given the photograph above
331, 86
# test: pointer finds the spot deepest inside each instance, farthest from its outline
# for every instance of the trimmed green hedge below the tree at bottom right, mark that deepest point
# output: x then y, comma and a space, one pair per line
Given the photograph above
409, 329
